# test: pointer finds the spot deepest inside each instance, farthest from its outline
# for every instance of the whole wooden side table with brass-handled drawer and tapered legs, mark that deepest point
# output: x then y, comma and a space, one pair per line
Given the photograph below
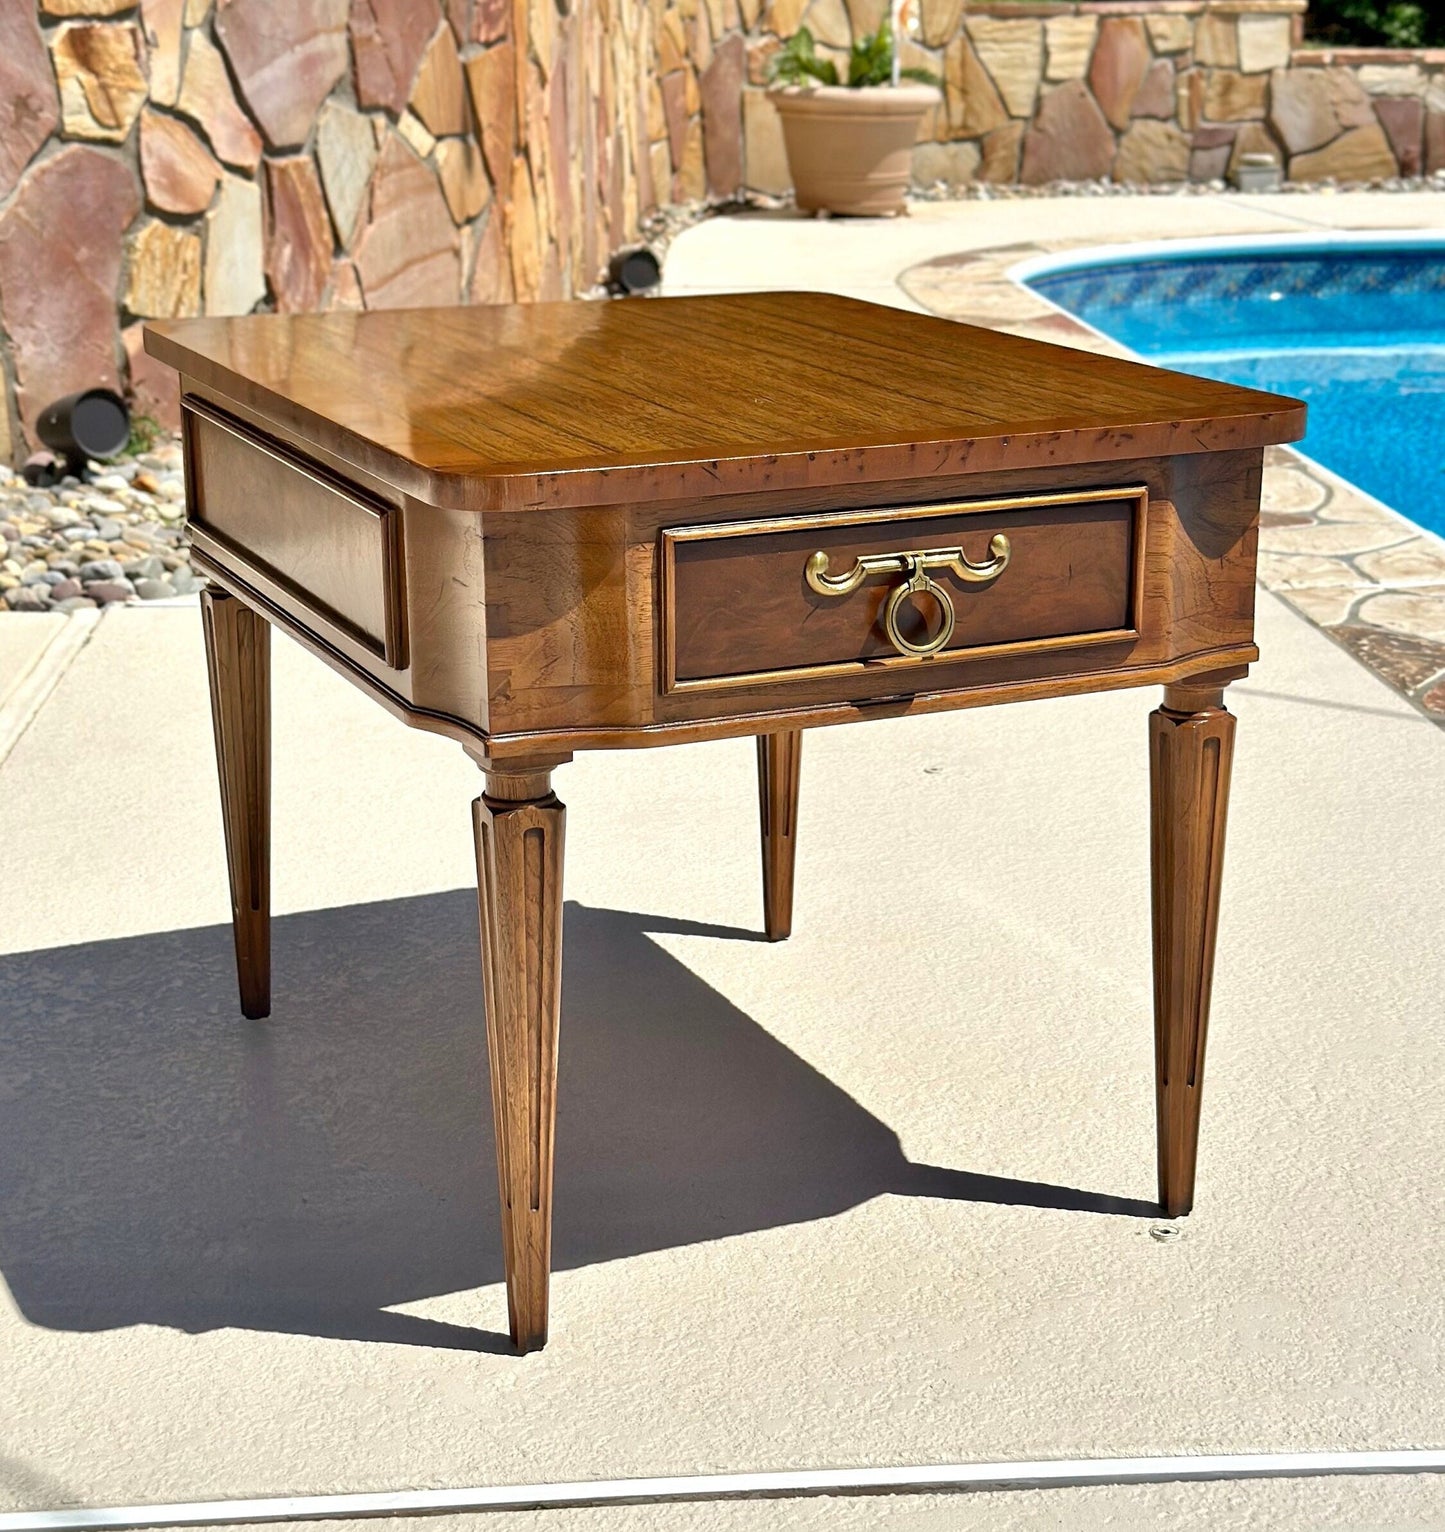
598, 526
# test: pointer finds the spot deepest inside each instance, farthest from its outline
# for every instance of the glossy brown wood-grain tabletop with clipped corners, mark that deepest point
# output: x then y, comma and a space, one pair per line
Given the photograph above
606, 402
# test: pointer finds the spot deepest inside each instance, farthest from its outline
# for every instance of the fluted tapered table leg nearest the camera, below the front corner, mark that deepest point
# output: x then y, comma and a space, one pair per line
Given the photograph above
520, 828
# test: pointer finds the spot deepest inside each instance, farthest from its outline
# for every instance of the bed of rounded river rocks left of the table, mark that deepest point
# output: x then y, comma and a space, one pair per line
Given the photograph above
114, 537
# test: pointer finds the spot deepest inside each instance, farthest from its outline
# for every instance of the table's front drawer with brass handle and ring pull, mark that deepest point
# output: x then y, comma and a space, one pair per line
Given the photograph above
807, 597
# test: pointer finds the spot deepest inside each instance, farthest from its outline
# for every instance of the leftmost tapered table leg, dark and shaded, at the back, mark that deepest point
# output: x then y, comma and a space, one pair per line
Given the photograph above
238, 656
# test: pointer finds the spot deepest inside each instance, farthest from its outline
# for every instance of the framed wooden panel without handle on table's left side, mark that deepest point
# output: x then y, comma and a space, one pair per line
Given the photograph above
295, 531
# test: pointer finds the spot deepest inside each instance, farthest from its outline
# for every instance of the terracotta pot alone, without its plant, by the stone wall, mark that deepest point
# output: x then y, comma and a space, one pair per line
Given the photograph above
851, 151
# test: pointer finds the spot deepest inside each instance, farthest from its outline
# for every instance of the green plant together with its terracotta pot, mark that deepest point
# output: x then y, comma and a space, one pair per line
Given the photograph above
850, 142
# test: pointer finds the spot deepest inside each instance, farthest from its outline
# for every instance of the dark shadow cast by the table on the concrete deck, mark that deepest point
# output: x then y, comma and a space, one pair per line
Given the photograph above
168, 1162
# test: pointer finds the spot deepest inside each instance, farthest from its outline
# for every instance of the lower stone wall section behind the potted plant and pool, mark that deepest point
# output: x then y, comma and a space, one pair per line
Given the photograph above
1141, 91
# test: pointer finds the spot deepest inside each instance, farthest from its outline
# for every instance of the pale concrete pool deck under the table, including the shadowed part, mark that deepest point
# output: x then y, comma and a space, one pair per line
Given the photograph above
799, 1225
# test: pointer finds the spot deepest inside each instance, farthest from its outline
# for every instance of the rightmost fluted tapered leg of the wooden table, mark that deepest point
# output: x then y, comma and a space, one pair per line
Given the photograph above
1191, 748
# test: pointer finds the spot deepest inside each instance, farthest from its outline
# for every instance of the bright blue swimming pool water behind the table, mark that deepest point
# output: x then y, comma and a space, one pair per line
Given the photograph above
1357, 332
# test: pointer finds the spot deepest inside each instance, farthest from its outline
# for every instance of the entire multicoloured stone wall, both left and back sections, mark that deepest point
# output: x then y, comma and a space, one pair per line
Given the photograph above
208, 157
